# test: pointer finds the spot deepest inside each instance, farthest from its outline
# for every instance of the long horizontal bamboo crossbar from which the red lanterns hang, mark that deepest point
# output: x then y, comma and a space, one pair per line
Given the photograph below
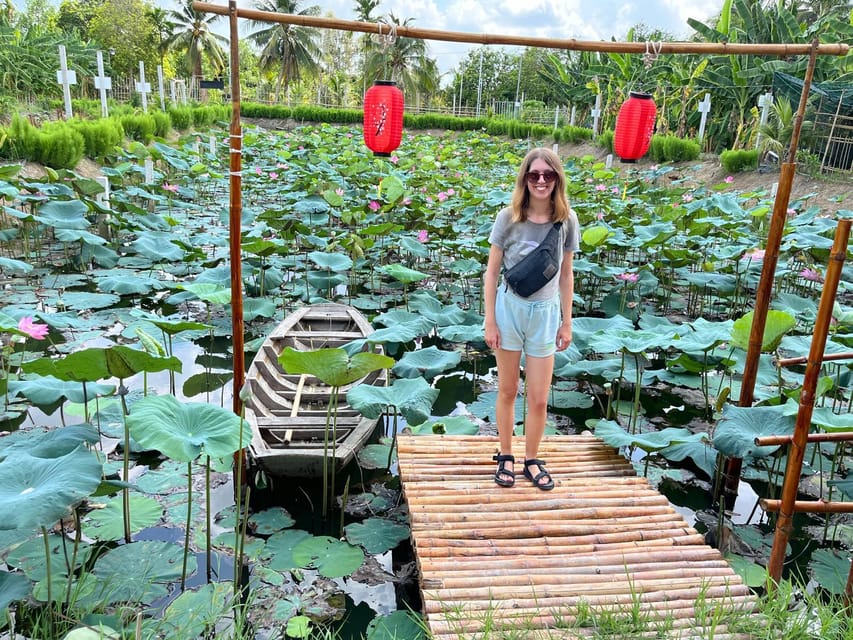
380, 28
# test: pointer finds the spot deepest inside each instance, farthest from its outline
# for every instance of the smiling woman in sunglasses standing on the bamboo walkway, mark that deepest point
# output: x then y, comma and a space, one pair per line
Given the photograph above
537, 325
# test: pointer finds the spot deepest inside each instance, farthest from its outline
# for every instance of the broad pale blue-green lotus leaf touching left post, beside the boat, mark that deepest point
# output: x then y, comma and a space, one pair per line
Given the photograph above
185, 430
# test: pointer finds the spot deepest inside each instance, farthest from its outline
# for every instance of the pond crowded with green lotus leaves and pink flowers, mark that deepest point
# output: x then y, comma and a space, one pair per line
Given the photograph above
116, 456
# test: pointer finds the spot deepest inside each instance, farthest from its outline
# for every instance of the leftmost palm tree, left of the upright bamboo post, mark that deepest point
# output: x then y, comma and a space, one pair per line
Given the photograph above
191, 33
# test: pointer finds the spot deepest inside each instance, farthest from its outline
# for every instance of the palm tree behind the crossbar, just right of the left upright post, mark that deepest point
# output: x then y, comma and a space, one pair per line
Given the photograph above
286, 50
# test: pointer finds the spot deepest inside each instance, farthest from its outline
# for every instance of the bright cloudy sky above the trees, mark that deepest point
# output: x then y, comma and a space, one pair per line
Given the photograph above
581, 20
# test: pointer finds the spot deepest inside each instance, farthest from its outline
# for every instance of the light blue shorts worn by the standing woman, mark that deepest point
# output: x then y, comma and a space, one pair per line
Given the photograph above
527, 325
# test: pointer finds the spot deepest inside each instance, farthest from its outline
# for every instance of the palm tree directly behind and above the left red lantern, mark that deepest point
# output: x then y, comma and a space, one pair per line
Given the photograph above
405, 61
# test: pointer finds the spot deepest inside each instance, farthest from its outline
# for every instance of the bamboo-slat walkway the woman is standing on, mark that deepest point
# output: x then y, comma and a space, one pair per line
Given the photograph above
603, 547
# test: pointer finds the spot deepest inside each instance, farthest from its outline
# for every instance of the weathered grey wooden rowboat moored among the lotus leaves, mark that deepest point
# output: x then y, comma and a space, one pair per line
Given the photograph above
288, 413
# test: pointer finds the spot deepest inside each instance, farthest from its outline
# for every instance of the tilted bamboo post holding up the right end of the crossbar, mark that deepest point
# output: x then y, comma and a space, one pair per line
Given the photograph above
732, 467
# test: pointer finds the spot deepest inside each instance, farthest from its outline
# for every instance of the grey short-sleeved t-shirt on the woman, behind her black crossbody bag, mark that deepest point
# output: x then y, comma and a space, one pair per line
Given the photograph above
517, 239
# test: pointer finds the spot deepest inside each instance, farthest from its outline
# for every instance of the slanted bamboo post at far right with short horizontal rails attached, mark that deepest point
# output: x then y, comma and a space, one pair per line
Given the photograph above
796, 453
